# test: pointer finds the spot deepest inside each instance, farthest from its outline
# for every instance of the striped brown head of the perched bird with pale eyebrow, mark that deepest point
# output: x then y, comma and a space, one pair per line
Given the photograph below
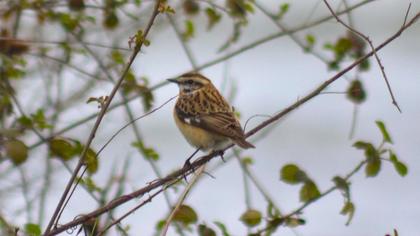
190, 82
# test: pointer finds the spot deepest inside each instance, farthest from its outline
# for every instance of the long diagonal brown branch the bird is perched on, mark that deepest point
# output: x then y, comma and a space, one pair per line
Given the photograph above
204, 159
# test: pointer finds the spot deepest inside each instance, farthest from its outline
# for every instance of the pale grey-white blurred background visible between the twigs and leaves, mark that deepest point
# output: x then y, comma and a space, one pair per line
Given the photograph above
262, 80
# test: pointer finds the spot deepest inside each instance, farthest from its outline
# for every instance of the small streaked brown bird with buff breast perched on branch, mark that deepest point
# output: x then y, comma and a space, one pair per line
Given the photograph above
204, 117
